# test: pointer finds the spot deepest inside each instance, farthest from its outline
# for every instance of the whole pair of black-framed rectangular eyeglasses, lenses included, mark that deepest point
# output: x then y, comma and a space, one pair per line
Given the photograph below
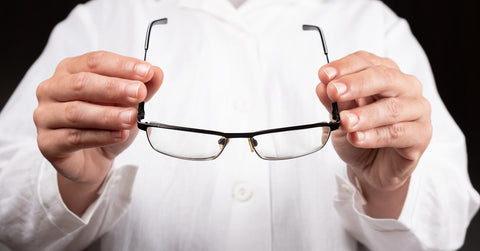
272, 144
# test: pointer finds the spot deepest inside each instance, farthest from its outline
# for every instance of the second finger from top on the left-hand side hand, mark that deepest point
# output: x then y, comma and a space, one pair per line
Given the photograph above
92, 87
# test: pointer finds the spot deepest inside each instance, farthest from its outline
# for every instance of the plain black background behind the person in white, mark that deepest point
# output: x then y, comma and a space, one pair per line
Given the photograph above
448, 31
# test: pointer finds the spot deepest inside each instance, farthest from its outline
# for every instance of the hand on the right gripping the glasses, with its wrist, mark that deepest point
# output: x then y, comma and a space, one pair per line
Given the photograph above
385, 125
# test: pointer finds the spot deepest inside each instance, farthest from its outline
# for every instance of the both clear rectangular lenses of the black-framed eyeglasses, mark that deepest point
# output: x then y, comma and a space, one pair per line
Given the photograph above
273, 146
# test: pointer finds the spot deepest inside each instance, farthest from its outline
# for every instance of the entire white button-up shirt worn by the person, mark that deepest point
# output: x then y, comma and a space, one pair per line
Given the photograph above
233, 70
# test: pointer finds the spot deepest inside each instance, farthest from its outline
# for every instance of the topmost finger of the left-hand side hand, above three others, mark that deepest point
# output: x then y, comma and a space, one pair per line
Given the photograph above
108, 64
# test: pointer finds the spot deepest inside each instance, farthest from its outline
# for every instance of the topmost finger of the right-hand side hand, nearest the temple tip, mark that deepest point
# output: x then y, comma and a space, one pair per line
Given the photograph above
352, 63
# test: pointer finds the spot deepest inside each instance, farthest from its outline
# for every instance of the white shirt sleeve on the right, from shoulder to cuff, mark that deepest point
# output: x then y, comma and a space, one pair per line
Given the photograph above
441, 200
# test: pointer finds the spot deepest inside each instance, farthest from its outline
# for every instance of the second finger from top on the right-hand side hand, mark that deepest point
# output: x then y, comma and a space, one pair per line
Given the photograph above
378, 81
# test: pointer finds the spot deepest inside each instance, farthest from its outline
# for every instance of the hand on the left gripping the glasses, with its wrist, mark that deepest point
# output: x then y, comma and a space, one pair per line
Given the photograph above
86, 116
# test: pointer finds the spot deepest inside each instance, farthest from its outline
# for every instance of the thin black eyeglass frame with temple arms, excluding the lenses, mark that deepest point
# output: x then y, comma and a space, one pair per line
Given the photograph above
333, 125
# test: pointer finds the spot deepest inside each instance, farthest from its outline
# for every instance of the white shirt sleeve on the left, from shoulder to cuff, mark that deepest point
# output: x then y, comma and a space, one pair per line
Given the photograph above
32, 213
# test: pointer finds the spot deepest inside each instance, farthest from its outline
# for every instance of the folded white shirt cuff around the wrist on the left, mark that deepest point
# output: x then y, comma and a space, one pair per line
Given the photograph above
117, 186
